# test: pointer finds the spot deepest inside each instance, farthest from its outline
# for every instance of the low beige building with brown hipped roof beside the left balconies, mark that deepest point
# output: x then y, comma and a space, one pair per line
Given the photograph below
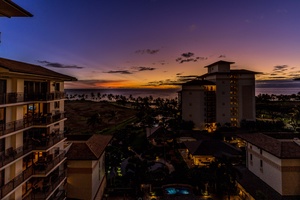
86, 168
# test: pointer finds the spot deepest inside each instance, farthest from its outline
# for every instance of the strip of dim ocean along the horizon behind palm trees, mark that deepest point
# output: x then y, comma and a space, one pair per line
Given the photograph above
285, 87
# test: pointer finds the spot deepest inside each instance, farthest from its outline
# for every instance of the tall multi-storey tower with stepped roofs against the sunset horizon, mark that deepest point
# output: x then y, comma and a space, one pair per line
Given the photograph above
221, 96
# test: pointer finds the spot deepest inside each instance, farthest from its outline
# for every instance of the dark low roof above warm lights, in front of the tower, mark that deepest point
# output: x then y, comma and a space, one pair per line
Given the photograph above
211, 147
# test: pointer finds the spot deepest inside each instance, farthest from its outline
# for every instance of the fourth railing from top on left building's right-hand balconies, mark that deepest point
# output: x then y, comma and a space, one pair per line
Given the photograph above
45, 166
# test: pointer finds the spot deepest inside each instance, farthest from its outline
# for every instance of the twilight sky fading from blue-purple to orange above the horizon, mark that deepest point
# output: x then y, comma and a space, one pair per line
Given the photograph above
154, 43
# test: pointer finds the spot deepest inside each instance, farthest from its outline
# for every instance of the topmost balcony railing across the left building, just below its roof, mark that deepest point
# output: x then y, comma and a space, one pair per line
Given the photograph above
17, 97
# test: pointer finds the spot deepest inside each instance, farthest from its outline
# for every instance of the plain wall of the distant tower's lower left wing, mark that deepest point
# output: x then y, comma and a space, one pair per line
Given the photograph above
193, 105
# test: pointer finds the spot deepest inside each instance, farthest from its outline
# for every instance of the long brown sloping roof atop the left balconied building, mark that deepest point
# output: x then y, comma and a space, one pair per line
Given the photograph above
25, 68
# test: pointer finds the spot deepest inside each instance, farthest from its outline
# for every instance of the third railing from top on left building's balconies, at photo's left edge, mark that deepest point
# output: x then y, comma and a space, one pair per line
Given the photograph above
12, 154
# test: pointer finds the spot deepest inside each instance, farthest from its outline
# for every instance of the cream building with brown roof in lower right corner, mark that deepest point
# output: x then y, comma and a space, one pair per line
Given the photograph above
273, 159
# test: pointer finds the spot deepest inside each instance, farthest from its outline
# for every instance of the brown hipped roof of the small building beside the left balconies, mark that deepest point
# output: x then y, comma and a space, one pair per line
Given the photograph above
92, 149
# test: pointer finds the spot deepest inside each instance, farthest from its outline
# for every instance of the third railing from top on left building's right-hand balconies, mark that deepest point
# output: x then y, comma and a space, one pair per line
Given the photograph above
45, 143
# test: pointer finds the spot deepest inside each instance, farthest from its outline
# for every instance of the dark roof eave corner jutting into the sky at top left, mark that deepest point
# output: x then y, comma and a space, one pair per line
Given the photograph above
10, 9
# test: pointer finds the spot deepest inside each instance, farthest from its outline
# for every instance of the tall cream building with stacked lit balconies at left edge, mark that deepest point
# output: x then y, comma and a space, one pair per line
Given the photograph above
32, 151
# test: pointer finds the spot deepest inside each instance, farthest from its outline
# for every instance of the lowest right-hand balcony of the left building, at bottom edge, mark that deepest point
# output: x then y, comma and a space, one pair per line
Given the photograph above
47, 188
